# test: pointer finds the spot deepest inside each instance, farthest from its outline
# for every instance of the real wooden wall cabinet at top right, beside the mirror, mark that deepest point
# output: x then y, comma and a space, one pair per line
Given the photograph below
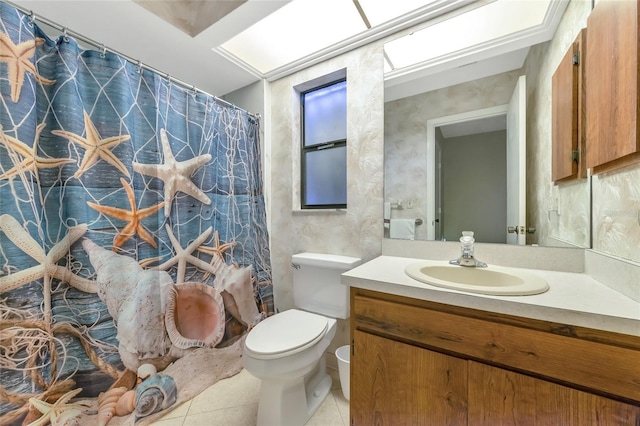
611, 78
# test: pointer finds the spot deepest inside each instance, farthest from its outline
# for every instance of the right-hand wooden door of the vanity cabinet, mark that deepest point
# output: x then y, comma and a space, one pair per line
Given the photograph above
502, 397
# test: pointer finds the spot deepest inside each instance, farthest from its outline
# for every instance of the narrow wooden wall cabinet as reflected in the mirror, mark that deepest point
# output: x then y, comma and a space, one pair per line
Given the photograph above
567, 104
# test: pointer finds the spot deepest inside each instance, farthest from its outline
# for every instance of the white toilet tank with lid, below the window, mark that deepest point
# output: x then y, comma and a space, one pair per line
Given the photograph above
316, 283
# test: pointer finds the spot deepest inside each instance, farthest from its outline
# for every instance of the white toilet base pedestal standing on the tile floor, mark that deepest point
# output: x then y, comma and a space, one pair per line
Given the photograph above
293, 402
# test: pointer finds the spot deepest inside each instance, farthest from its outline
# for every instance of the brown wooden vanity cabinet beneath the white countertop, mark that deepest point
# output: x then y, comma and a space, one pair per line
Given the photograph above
419, 362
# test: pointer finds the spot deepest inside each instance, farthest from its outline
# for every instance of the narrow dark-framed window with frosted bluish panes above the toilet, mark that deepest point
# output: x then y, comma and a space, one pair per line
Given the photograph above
324, 146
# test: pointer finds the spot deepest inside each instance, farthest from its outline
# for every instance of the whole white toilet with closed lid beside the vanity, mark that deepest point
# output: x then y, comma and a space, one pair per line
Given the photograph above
286, 350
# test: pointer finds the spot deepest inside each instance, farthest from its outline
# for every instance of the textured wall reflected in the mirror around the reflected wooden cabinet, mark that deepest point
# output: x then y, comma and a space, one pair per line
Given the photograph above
557, 211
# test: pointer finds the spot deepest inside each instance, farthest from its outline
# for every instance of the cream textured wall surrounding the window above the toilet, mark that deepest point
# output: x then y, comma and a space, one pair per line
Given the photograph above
356, 231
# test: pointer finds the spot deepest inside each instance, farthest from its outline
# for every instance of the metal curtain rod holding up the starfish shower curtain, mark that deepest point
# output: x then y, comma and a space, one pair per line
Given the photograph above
67, 32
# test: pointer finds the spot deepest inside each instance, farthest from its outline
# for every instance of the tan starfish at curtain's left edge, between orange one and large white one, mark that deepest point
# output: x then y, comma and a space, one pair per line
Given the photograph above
32, 162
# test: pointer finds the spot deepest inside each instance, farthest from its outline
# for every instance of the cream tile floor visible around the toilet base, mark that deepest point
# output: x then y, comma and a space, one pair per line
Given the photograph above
234, 402
